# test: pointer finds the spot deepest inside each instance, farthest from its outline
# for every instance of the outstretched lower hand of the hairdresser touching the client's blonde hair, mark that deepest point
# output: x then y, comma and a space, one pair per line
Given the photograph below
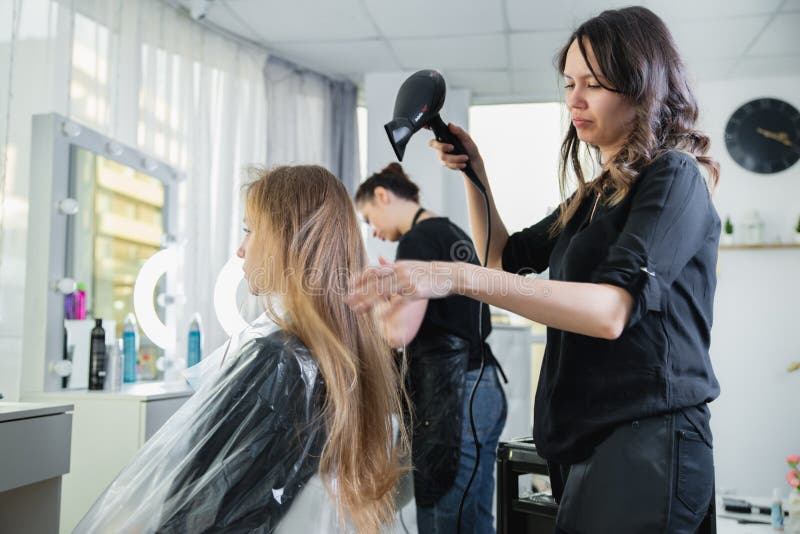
405, 280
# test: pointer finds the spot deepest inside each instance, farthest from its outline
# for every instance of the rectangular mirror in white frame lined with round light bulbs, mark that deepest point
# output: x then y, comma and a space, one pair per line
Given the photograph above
102, 210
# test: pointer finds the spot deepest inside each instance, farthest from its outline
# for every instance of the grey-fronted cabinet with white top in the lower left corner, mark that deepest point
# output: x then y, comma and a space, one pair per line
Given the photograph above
34, 454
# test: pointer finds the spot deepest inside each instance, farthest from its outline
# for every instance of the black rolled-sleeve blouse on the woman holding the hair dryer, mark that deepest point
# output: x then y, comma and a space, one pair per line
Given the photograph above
660, 244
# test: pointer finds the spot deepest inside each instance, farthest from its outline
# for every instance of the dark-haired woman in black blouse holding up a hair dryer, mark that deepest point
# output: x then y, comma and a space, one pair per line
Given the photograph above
621, 410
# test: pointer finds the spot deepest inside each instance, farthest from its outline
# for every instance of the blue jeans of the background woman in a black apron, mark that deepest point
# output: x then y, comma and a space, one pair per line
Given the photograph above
489, 410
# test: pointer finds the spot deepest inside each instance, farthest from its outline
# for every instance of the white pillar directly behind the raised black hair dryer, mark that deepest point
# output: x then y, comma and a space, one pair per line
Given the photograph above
441, 190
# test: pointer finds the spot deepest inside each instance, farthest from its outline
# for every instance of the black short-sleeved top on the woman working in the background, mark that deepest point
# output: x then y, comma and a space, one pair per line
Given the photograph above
438, 239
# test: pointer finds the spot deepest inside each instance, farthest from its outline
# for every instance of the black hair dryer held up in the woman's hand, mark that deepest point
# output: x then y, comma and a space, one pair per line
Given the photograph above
418, 103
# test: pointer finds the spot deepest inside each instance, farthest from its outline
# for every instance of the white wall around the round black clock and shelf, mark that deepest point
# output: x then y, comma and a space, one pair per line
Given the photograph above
755, 335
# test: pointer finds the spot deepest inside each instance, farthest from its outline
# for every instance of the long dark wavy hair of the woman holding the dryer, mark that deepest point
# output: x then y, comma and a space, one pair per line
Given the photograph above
638, 57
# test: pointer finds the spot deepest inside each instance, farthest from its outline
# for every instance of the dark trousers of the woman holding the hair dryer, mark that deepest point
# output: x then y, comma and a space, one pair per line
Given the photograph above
655, 475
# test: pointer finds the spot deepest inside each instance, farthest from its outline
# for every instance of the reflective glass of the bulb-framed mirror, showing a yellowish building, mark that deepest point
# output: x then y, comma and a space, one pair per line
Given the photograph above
119, 226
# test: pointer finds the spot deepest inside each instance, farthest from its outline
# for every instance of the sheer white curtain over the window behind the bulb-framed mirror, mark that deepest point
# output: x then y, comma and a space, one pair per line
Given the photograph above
146, 74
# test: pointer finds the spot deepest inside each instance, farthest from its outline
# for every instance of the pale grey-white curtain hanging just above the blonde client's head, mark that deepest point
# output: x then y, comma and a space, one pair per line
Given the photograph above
312, 120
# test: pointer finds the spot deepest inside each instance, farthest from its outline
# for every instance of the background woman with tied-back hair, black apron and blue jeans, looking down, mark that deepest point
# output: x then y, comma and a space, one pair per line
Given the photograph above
443, 344
